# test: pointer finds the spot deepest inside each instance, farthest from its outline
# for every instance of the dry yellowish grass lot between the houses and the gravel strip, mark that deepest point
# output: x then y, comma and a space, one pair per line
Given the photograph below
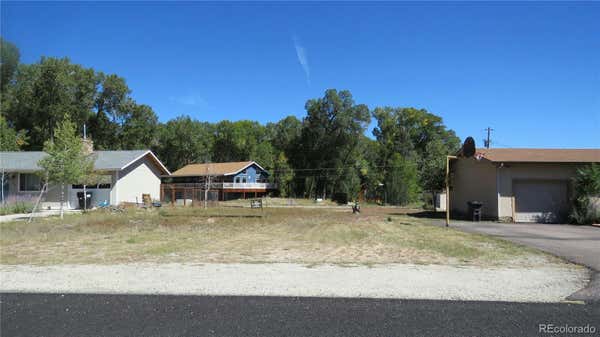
300, 235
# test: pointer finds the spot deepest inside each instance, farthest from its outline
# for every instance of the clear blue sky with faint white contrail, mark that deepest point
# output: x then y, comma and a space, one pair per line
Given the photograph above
531, 70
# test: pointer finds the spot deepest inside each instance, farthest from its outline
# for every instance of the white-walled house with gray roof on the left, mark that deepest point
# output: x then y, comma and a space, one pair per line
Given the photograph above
124, 176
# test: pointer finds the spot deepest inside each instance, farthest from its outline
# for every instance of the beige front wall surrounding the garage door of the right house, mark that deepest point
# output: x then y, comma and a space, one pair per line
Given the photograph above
522, 171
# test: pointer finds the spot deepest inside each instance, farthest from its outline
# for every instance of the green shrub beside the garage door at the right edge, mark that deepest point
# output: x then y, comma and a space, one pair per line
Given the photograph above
586, 203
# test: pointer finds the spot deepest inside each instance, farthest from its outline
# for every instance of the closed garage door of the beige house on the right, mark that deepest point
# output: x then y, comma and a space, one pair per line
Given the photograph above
540, 200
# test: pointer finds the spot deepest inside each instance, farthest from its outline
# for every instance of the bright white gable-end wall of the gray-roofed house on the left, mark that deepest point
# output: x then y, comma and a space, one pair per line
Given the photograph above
140, 178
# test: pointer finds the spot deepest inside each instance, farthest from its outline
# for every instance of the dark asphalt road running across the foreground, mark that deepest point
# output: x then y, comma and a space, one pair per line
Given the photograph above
136, 315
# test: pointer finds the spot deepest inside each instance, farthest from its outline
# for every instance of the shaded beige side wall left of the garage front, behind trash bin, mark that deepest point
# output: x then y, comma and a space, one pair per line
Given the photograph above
473, 180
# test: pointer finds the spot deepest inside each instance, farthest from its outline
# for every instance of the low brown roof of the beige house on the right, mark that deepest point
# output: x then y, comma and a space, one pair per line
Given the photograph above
540, 155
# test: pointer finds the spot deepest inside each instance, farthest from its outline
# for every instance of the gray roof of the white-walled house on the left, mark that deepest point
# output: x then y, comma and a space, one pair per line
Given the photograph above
105, 160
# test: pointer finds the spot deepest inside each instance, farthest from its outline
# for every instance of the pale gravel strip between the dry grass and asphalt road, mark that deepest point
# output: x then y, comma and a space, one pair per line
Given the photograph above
544, 284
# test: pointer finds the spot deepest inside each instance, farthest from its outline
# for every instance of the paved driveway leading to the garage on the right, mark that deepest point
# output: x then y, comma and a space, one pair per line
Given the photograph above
578, 244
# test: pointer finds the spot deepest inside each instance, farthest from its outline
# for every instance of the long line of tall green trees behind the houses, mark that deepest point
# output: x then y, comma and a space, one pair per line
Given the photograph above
325, 154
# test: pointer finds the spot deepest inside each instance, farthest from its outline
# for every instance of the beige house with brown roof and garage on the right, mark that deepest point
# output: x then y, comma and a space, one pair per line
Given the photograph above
520, 185
